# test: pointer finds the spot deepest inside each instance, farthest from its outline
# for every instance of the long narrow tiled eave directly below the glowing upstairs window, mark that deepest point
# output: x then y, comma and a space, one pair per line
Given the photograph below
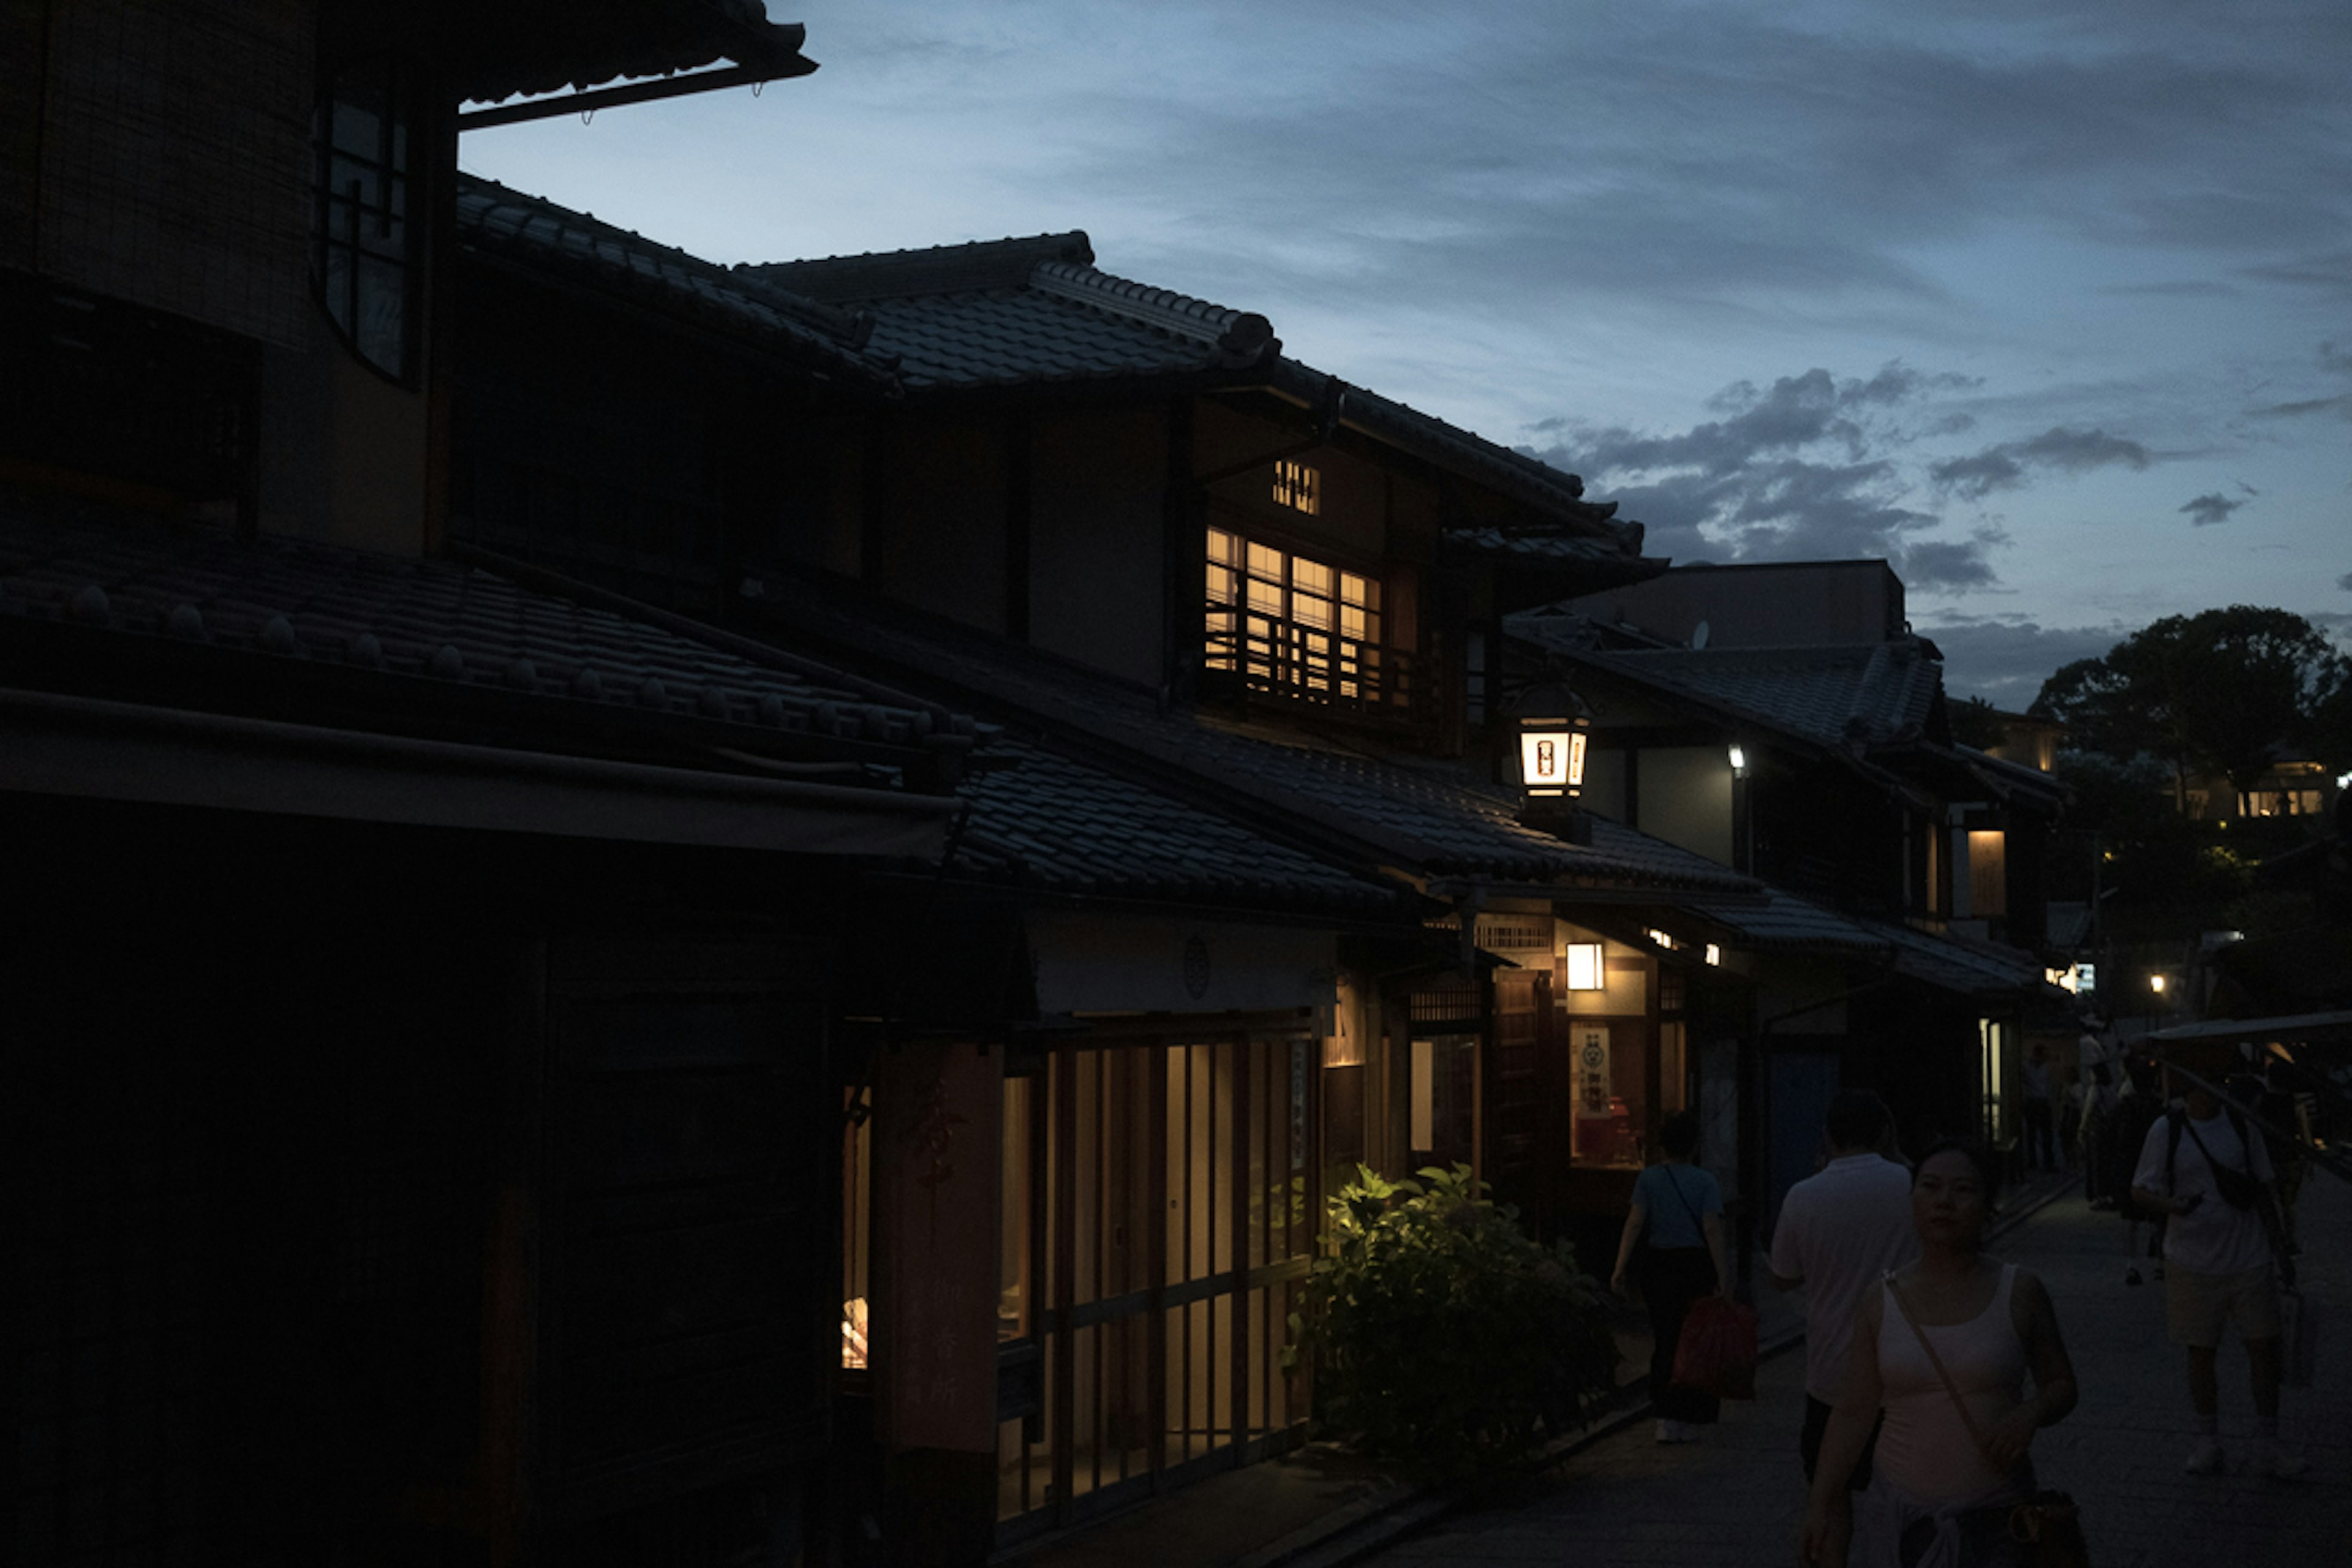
1412, 815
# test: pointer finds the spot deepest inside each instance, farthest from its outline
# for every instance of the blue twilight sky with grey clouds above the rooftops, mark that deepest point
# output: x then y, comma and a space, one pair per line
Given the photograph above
2047, 302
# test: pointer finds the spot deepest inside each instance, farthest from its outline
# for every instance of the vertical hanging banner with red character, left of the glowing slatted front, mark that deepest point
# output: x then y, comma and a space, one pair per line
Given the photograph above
935, 1313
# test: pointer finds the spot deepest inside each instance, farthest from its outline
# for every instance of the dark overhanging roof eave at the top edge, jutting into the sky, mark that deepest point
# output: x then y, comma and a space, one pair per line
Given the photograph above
544, 46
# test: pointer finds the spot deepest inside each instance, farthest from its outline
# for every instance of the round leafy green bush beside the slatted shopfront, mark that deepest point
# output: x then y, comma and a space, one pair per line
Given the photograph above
1443, 1336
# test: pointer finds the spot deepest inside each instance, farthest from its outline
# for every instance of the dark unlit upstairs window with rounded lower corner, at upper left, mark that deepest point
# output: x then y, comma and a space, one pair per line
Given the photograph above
368, 257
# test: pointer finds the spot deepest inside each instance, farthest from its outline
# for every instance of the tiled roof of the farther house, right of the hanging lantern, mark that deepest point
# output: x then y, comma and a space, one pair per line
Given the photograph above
1855, 695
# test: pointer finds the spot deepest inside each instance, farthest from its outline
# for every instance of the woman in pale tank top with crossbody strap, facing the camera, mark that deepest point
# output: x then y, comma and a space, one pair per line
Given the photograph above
1942, 1358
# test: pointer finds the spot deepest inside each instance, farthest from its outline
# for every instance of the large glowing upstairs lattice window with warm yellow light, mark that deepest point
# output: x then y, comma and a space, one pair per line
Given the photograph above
1292, 624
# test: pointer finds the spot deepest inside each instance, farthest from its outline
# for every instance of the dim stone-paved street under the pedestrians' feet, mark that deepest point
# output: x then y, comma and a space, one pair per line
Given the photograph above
1737, 1496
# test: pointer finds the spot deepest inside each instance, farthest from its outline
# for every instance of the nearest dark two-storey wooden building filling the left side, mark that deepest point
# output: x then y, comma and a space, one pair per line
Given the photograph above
429, 991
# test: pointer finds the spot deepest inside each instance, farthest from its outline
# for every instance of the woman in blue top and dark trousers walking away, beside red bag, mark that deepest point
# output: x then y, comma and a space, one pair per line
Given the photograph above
1681, 1261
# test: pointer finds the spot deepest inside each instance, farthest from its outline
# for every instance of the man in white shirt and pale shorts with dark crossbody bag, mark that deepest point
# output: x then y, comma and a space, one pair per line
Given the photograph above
2217, 1266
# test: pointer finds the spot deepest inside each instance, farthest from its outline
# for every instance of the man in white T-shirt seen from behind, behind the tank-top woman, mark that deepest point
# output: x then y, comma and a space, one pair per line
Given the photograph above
1838, 1235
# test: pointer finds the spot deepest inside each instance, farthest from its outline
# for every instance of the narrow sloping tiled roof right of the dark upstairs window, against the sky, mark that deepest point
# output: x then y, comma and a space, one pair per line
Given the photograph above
505, 225
